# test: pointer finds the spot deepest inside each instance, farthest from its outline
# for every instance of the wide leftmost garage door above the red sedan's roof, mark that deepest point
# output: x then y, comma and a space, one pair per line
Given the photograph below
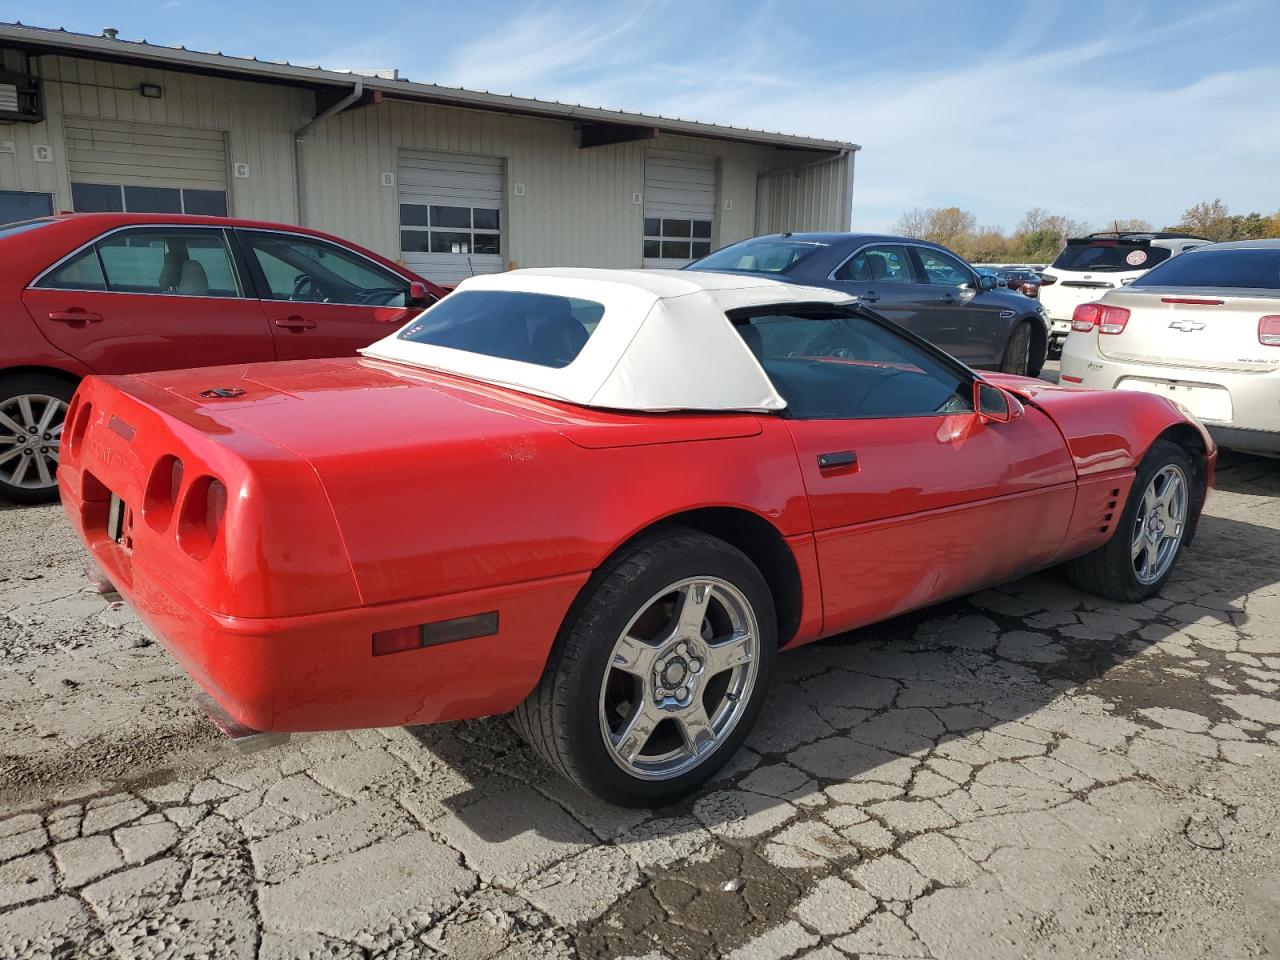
145, 168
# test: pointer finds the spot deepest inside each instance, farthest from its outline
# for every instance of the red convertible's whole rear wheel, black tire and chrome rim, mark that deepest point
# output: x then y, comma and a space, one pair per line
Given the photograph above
659, 673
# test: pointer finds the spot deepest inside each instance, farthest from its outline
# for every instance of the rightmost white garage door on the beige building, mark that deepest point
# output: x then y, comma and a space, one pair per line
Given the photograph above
679, 208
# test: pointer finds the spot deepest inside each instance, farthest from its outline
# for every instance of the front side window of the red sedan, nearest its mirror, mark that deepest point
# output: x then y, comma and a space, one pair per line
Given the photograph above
314, 272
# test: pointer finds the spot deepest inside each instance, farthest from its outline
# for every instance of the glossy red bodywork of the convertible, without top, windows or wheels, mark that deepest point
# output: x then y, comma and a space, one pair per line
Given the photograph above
367, 497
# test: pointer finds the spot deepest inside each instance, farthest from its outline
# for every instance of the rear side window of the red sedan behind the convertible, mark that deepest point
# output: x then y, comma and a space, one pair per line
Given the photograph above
168, 262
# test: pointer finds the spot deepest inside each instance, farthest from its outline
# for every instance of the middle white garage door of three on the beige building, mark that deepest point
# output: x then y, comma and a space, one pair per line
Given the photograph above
451, 216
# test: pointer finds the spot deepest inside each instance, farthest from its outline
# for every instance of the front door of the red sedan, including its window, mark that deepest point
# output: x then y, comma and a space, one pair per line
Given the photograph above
323, 300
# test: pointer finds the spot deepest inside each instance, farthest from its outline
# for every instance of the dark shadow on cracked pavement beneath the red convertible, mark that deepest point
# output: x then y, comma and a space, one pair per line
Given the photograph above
861, 706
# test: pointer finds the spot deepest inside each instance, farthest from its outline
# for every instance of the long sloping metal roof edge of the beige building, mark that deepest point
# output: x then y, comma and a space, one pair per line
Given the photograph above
47, 40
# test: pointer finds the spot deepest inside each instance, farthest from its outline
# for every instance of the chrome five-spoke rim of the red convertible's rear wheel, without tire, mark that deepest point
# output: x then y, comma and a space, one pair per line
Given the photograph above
680, 678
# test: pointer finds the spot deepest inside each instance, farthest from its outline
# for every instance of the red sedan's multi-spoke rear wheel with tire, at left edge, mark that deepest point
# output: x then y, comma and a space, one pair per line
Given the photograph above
33, 408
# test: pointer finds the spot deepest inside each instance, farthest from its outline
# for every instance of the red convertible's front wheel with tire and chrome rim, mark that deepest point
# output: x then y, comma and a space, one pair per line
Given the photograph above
1156, 524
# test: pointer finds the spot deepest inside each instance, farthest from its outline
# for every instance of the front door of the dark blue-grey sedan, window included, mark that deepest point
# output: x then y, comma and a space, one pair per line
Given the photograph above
968, 323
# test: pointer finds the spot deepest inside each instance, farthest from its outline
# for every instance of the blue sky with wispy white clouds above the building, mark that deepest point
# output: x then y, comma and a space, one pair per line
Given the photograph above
1087, 108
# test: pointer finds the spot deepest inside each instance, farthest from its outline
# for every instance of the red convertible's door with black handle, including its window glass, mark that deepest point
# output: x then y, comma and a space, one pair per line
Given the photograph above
915, 499
